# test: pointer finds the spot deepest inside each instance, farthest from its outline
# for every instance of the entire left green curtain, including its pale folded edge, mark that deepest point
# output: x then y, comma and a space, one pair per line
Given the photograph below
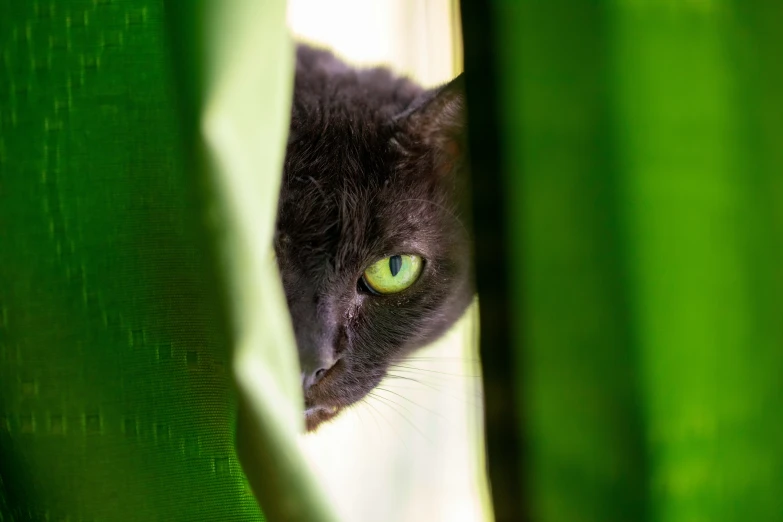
121, 255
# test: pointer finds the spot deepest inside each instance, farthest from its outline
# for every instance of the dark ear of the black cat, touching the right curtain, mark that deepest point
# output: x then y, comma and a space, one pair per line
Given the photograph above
437, 118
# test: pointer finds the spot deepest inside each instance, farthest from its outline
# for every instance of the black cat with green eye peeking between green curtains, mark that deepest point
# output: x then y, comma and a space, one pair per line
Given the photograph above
372, 238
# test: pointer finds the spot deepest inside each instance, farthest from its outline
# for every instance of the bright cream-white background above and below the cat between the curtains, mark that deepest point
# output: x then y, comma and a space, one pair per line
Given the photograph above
413, 450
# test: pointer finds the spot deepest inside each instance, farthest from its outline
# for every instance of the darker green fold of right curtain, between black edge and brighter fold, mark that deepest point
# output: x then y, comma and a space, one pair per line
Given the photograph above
586, 456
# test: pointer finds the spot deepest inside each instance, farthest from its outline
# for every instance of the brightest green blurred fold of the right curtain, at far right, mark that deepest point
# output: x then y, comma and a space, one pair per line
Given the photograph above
701, 192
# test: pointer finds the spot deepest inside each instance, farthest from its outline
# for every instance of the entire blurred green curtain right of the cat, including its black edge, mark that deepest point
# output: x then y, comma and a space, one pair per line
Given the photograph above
629, 213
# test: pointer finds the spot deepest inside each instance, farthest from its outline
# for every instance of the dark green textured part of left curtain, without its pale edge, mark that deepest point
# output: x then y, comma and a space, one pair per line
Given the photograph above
116, 400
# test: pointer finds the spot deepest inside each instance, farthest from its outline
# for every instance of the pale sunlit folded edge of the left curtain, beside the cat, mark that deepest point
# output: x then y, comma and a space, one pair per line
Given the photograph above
235, 108
